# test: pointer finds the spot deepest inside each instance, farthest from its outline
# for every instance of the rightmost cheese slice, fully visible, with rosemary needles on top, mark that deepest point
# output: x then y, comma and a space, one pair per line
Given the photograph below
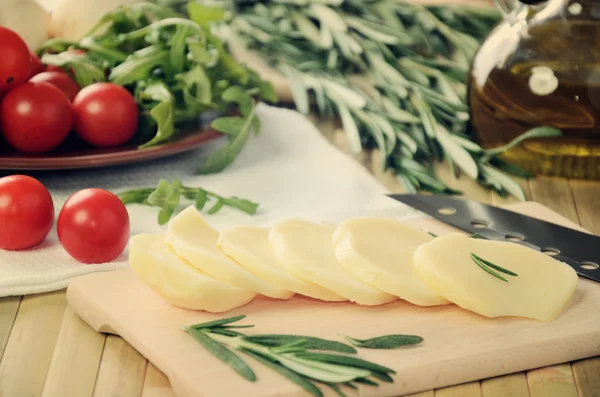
541, 290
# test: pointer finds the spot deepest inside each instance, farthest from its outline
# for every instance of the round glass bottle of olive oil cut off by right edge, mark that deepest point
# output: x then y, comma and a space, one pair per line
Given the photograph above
542, 68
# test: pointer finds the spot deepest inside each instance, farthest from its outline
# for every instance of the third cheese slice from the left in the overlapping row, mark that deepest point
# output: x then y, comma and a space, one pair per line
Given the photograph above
250, 247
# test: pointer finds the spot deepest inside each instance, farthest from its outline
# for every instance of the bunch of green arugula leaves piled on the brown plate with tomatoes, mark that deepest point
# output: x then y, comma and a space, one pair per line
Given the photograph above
176, 69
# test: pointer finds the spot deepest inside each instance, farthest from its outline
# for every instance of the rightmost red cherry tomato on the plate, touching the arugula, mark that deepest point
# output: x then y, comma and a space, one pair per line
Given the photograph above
106, 115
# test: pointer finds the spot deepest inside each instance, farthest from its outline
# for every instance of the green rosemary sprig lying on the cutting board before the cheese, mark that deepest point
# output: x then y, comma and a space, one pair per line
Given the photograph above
294, 356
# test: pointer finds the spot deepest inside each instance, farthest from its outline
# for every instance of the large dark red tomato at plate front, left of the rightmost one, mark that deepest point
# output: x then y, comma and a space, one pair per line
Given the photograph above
36, 117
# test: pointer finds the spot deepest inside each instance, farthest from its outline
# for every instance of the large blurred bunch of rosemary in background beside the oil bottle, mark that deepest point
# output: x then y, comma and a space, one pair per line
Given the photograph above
394, 72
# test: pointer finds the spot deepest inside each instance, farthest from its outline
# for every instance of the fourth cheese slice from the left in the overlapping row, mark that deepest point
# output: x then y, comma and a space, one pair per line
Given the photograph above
306, 249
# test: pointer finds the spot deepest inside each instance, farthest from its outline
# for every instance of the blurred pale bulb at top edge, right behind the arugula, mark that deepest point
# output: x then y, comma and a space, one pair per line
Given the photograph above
72, 19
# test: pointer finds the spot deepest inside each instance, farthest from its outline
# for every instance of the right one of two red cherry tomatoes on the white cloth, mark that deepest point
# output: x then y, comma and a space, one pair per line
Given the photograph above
93, 226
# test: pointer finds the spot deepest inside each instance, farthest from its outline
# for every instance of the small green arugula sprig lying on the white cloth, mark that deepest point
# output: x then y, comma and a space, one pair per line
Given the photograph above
167, 197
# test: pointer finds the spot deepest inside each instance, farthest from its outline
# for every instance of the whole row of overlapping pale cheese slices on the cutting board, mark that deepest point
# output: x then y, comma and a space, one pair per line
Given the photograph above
366, 260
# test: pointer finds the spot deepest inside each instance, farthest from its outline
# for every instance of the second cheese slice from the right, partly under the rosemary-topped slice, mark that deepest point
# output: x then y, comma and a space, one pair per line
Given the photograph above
380, 252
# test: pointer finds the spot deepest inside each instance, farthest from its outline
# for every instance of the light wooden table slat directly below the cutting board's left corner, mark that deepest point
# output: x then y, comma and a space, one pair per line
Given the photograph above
75, 361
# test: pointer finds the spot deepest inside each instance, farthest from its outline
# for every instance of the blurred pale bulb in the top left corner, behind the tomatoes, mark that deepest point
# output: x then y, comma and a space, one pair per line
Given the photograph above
27, 18
